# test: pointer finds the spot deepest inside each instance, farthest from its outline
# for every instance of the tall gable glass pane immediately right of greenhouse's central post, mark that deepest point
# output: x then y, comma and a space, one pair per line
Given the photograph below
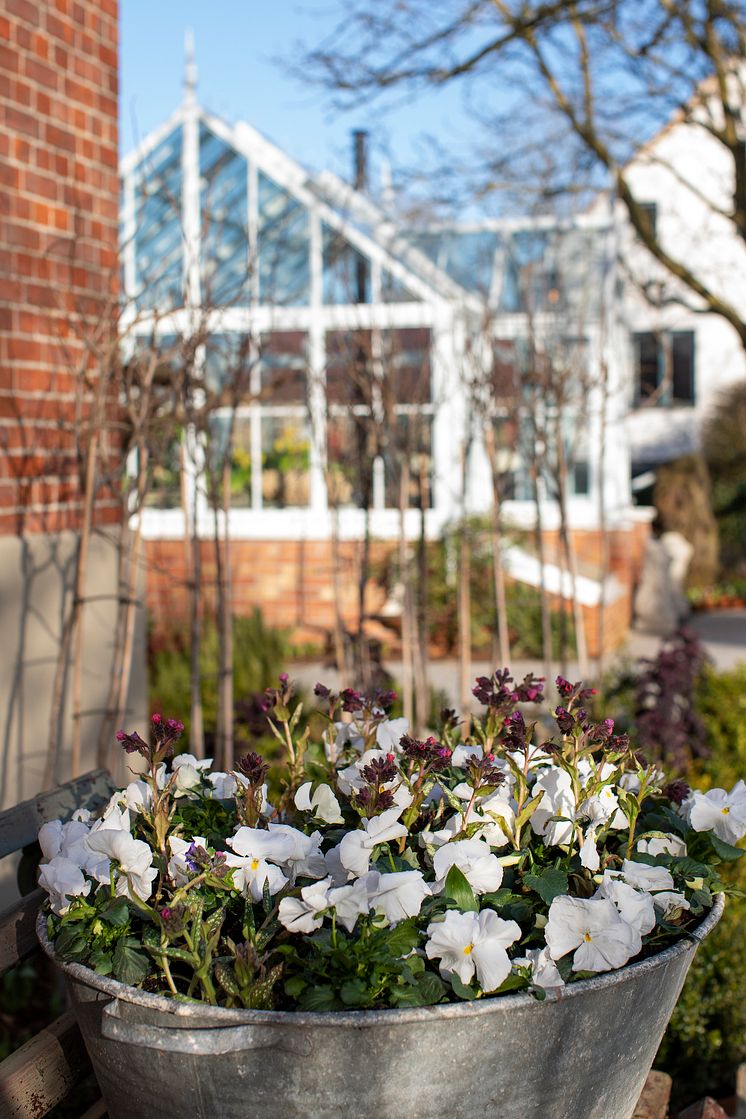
224, 210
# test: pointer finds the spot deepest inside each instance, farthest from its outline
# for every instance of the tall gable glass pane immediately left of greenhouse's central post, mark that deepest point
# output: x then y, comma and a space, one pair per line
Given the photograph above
158, 239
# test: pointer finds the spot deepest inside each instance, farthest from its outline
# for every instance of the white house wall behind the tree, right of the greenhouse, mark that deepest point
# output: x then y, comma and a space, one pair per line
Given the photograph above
688, 175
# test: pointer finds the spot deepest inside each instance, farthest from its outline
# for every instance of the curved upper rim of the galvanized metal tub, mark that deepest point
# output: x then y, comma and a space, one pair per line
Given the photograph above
222, 1017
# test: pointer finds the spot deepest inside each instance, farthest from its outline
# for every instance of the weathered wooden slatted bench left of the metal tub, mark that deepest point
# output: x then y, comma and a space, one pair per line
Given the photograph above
43, 1073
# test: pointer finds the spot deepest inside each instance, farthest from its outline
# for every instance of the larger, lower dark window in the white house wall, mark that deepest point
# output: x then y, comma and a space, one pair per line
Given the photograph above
665, 368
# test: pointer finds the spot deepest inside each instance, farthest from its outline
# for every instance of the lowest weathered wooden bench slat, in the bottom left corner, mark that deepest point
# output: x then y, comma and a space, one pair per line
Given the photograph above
41, 1074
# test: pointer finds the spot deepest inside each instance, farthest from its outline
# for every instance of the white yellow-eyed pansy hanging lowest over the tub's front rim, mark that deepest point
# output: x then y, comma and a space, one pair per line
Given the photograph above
474, 943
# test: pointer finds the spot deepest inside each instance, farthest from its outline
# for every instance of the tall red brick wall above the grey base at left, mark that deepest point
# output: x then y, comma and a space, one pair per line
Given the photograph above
59, 232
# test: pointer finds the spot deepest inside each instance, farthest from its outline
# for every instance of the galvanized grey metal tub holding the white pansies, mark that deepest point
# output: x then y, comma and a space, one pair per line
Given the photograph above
583, 1054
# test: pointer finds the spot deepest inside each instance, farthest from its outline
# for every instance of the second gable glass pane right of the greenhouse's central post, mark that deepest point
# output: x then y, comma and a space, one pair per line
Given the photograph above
285, 248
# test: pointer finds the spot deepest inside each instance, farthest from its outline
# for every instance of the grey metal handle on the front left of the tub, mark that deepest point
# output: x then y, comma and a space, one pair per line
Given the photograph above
210, 1041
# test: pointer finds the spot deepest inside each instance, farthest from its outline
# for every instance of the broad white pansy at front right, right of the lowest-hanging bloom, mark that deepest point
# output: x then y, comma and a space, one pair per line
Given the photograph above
594, 930
